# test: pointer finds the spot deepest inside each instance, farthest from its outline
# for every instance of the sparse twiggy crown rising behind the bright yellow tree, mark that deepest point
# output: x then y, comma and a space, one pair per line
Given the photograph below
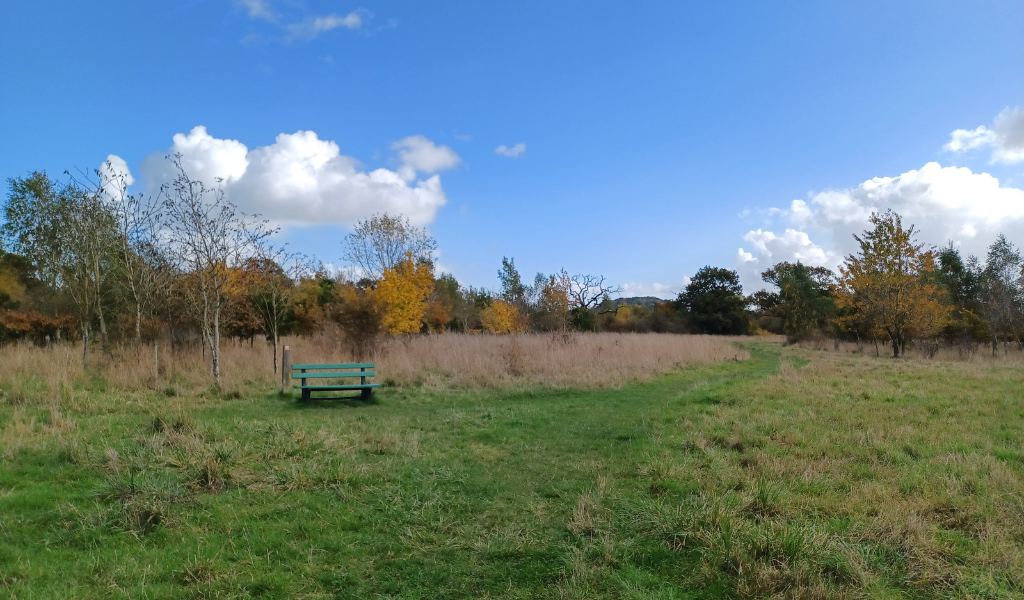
383, 242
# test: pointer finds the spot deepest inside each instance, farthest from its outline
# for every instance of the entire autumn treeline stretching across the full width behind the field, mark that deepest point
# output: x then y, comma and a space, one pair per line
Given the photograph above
91, 263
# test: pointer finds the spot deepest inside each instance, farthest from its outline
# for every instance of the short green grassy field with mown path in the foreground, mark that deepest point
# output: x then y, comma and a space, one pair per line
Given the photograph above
793, 474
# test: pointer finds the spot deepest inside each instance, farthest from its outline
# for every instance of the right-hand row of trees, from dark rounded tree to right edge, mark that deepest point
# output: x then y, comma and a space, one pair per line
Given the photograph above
895, 291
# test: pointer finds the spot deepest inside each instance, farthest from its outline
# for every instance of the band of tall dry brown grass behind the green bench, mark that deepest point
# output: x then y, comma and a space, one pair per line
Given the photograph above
447, 361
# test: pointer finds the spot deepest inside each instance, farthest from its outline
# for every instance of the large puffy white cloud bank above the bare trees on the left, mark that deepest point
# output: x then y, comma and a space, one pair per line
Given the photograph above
302, 180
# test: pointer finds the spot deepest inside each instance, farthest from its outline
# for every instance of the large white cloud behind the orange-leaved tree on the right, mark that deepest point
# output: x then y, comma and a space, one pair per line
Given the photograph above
944, 203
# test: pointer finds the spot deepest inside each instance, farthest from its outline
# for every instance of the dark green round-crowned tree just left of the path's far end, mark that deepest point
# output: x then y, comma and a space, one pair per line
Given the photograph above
714, 303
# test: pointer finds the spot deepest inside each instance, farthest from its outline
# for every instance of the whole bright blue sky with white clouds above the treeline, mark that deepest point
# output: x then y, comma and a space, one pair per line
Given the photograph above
658, 137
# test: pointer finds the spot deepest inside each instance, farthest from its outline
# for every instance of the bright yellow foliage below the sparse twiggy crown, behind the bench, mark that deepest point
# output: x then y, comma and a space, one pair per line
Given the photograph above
403, 294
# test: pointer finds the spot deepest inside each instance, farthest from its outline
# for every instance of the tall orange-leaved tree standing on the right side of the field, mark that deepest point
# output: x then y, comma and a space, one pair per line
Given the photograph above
891, 282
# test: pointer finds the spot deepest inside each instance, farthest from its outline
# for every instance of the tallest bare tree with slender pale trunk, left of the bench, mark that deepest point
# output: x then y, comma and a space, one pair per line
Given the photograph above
206, 235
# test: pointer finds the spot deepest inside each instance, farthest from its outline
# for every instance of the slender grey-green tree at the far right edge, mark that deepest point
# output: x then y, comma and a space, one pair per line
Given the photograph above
1003, 296
